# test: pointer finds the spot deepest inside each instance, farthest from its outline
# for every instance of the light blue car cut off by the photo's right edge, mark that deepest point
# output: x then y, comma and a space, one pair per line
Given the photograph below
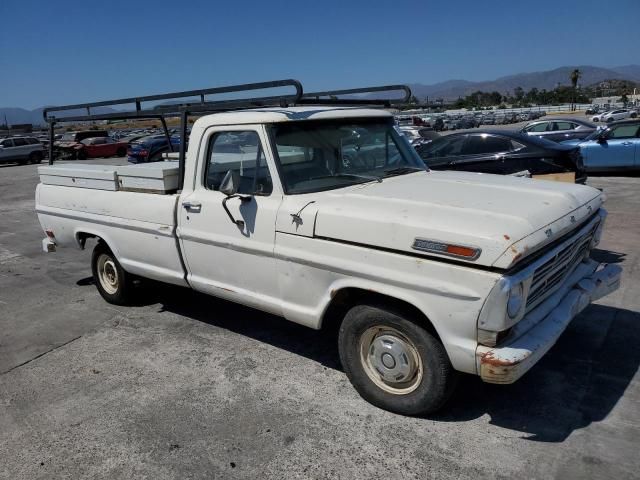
614, 148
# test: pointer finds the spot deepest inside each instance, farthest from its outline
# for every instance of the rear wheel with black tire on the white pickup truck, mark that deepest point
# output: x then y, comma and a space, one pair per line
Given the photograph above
114, 284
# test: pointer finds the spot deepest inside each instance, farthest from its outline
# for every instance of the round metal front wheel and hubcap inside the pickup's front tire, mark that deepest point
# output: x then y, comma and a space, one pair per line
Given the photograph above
390, 360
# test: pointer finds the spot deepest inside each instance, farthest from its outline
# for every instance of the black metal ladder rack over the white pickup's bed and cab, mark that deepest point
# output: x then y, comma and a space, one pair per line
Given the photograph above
172, 107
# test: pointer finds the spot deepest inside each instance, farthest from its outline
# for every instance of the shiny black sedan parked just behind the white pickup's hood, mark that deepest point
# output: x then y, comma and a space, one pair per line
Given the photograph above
502, 152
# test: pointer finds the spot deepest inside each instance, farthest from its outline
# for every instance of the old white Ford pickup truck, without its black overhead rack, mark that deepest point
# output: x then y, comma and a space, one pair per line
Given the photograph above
324, 214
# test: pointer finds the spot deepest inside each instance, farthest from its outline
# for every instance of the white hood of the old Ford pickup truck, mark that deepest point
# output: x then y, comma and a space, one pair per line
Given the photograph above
506, 218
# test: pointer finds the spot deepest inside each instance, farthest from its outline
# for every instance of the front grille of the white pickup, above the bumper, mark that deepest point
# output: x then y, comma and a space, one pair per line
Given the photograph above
550, 275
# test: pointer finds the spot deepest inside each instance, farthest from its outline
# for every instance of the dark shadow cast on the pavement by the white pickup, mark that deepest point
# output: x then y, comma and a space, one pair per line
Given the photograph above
578, 382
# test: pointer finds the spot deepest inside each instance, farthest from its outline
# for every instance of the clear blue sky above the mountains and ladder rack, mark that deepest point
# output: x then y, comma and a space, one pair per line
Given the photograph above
56, 51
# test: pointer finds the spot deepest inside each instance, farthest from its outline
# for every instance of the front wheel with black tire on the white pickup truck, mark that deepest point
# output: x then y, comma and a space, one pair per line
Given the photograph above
418, 376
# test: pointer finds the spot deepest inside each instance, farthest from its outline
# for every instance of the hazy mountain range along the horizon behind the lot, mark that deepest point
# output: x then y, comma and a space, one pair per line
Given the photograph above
448, 90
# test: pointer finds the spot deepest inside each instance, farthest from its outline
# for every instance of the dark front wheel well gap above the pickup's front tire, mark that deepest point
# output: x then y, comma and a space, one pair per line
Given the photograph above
344, 299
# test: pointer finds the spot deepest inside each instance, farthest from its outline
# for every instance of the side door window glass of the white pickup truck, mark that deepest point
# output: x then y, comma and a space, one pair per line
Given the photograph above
242, 152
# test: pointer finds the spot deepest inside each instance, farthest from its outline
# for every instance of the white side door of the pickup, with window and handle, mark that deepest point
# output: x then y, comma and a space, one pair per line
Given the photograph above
222, 258
